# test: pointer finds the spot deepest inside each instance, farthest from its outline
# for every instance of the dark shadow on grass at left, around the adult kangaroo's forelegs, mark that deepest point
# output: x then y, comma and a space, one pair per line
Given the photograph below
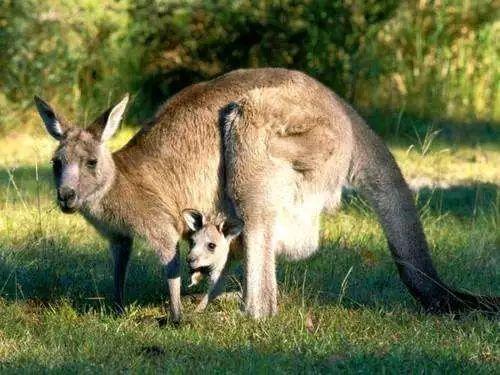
48, 272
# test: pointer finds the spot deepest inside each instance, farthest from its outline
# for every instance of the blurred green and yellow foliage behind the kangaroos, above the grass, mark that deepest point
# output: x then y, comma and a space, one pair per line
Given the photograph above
428, 58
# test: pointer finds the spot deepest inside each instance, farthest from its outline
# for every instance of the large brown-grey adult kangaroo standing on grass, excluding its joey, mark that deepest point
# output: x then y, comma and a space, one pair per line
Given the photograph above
289, 146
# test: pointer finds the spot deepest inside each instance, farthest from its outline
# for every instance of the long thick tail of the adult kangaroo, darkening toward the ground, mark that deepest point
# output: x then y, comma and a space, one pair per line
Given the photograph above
376, 175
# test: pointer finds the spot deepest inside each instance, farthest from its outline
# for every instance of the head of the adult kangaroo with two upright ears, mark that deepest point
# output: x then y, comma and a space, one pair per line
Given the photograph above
82, 165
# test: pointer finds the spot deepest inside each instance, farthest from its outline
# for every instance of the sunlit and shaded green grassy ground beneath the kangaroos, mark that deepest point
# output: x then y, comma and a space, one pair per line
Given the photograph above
343, 310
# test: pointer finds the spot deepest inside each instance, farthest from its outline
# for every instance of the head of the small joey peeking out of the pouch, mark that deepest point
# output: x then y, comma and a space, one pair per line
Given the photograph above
210, 239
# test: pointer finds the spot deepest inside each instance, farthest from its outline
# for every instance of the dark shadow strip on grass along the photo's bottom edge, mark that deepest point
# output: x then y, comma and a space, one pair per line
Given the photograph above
189, 357
